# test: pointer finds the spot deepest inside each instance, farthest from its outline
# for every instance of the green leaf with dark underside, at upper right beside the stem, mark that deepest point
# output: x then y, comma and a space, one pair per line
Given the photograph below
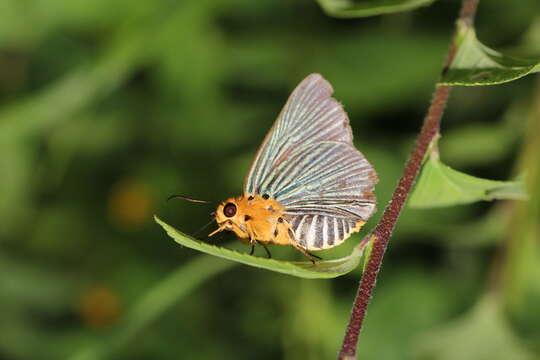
476, 64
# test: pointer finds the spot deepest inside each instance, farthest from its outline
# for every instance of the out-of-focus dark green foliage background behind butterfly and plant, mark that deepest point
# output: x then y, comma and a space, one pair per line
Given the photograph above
108, 107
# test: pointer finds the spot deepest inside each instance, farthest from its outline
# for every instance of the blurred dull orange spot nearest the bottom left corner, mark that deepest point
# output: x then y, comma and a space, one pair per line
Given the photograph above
99, 307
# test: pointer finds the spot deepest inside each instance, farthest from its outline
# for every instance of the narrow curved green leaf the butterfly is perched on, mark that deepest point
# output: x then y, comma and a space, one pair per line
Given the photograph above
306, 269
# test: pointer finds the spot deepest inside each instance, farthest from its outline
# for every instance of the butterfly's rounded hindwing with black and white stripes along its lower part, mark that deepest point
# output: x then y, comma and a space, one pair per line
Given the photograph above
326, 189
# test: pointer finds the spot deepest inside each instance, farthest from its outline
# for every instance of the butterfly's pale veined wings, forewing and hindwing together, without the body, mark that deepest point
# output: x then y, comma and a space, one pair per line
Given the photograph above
308, 163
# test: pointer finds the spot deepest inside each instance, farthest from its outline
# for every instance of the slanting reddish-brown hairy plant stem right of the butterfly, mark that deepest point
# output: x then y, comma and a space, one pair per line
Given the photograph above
382, 232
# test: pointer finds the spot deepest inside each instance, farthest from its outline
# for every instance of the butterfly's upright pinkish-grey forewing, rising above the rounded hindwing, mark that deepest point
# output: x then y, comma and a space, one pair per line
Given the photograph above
310, 116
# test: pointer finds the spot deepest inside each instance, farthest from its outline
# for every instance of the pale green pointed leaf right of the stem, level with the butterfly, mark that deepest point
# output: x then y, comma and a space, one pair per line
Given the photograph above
439, 185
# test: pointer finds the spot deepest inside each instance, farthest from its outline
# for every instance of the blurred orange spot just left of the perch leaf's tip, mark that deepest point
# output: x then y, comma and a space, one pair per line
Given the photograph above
130, 204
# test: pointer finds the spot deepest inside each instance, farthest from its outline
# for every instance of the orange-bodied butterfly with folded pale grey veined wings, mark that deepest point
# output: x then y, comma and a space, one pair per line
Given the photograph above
308, 186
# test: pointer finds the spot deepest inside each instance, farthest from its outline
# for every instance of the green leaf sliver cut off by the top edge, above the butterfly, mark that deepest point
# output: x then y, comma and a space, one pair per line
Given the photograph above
363, 8
